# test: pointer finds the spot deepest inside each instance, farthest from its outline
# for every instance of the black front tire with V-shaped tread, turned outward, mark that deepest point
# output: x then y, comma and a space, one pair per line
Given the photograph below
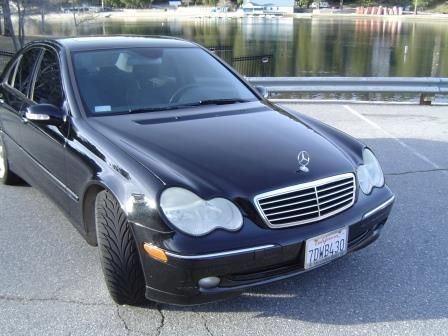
118, 252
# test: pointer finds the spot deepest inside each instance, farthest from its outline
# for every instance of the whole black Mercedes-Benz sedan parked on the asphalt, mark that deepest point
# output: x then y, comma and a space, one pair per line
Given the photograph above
193, 185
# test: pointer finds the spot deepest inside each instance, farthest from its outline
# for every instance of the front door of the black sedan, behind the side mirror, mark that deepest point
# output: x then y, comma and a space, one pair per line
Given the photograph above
45, 144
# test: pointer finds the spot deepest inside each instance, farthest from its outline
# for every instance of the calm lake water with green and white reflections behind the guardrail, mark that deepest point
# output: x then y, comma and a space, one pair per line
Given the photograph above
301, 47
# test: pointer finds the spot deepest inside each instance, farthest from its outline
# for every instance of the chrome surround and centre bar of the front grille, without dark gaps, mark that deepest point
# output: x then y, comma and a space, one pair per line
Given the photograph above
314, 185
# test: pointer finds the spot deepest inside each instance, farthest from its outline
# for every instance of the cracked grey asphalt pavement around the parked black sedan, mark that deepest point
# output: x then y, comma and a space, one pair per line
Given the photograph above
51, 281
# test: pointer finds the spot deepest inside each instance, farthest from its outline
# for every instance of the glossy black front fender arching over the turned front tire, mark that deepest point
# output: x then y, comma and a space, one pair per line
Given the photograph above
135, 188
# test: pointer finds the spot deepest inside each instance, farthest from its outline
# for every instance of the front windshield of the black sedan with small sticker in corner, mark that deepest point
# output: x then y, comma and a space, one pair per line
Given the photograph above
133, 80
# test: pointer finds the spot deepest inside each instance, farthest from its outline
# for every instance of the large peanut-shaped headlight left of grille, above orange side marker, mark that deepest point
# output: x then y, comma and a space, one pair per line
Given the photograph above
197, 217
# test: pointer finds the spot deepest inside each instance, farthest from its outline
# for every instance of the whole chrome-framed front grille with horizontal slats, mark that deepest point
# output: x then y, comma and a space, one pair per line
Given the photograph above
308, 202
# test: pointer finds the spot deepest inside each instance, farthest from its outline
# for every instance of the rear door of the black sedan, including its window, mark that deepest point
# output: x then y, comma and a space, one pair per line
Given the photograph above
13, 94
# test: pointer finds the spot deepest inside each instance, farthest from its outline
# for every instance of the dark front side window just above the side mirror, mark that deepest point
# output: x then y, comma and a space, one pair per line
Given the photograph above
48, 85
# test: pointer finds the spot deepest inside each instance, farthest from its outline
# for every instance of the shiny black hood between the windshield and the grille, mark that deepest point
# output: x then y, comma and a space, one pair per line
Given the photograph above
232, 151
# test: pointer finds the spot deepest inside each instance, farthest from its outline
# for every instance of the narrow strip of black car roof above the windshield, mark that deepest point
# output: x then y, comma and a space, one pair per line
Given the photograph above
113, 42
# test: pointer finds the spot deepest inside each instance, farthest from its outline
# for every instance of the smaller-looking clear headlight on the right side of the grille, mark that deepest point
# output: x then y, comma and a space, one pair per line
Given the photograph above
369, 173
